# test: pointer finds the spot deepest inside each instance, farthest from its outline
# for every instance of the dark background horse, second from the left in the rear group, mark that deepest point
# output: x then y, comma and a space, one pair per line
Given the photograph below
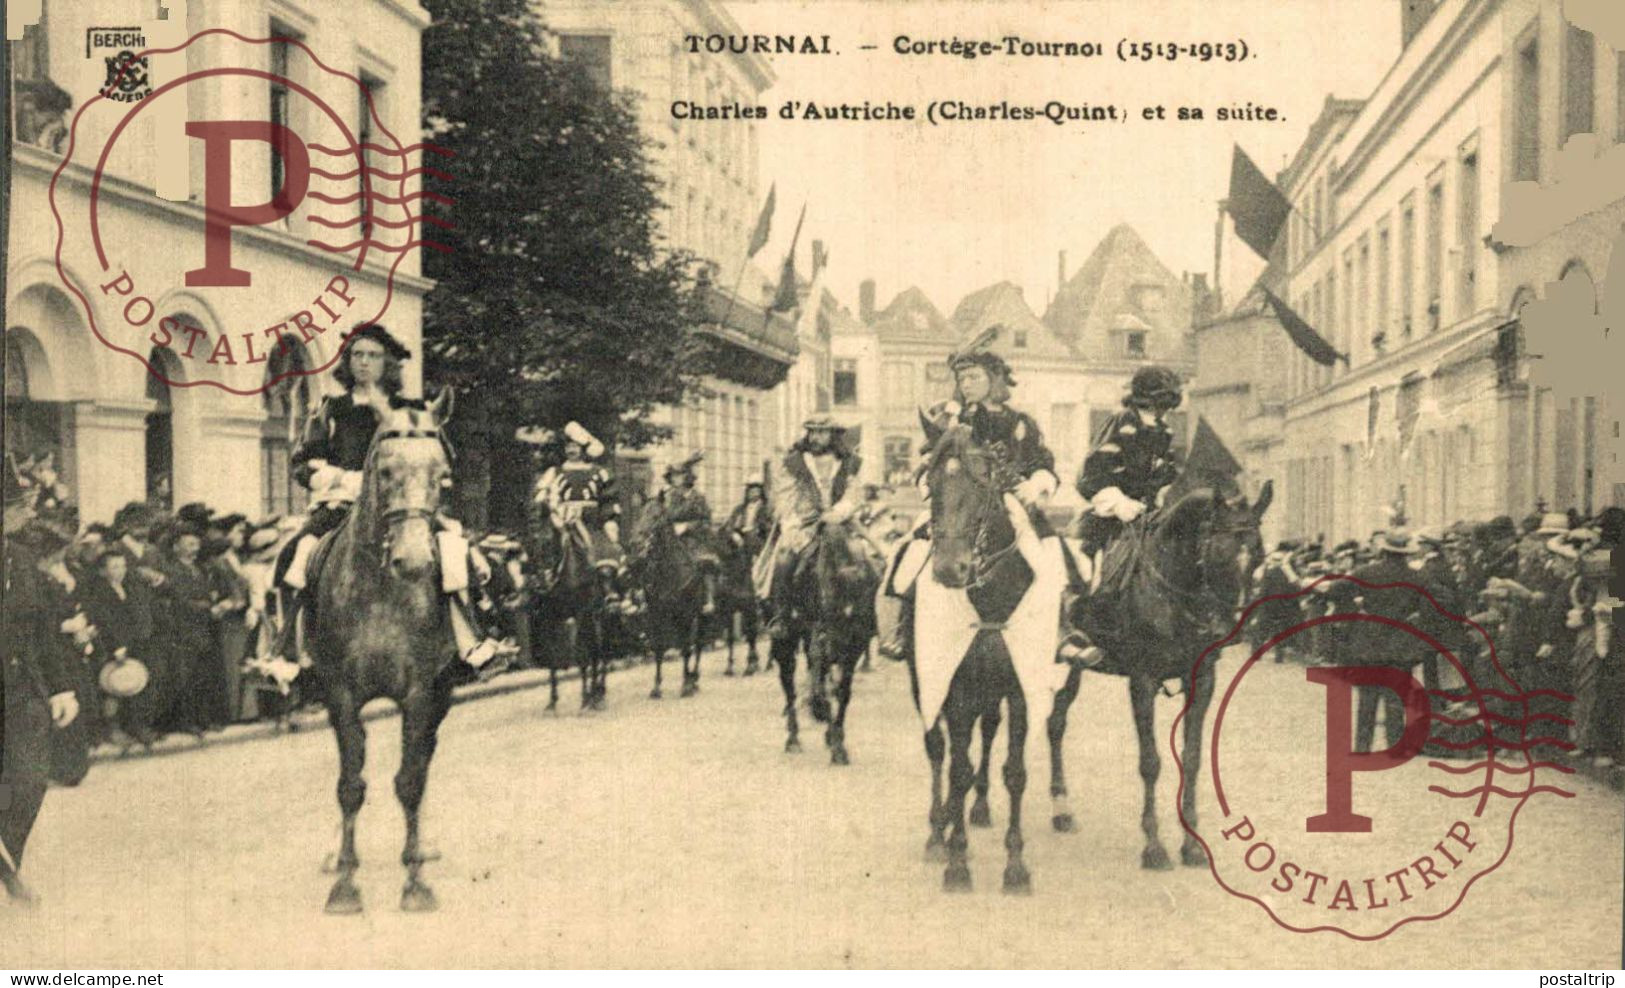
674, 594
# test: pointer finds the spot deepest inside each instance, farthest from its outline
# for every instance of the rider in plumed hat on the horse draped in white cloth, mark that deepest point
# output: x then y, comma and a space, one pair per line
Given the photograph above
1026, 470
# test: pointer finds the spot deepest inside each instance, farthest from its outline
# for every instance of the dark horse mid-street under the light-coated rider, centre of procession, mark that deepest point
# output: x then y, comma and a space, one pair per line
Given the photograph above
834, 586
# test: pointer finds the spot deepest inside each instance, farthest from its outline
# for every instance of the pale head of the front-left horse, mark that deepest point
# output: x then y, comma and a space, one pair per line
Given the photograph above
407, 470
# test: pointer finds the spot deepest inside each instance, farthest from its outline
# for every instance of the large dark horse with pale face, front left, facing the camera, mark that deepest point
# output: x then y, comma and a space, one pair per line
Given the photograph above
379, 628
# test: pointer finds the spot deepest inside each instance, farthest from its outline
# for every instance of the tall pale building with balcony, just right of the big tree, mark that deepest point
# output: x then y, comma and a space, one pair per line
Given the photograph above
713, 197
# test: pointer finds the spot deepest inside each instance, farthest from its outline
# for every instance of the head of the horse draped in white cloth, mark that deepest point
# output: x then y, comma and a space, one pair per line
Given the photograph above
968, 509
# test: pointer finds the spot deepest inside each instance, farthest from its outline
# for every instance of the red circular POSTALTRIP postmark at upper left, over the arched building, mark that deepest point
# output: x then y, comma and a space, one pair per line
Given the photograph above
264, 269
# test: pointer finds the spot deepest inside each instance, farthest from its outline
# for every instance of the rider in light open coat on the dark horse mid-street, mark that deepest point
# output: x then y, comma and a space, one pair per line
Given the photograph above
815, 487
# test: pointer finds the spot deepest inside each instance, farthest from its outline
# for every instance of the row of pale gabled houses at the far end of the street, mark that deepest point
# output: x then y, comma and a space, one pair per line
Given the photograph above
1120, 311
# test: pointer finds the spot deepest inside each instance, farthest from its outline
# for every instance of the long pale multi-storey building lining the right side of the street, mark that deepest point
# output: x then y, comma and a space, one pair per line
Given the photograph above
1390, 253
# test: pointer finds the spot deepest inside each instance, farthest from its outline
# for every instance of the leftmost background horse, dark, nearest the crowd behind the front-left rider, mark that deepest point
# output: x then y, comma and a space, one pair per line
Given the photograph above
571, 599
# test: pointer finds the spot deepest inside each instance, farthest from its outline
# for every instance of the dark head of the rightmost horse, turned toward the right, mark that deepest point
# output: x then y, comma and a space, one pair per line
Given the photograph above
1223, 534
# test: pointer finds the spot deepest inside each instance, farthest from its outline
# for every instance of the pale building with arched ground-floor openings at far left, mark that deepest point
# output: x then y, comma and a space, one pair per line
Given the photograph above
121, 433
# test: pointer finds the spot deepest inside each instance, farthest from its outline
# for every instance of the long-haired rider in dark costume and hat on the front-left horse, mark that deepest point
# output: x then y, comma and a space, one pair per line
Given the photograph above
329, 462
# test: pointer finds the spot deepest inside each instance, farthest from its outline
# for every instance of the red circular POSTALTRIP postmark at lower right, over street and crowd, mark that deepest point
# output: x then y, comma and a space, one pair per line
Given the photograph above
1328, 838
